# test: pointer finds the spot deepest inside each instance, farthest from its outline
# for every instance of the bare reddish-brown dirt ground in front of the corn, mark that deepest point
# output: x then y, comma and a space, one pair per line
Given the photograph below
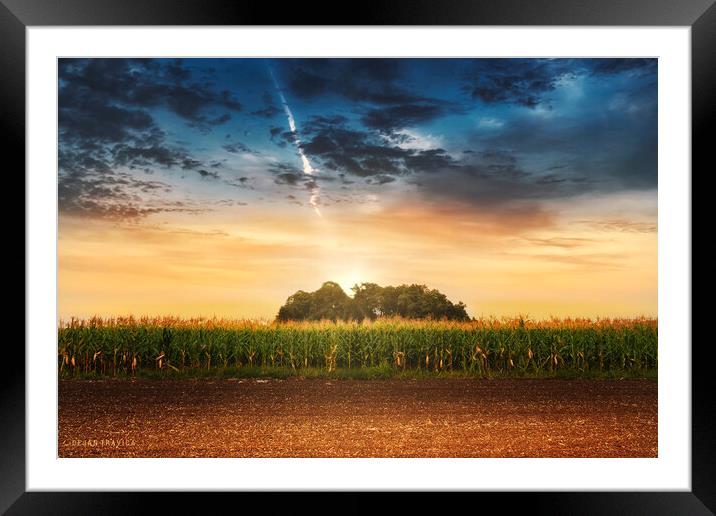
358, 418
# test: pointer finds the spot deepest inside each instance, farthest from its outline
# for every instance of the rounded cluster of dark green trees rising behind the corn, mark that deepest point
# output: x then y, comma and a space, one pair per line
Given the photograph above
370, 301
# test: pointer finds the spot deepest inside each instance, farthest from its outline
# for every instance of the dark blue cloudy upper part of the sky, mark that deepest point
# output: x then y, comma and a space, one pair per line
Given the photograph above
493, 131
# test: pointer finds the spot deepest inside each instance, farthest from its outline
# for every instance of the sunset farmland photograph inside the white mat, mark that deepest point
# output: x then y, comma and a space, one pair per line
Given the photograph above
357, 257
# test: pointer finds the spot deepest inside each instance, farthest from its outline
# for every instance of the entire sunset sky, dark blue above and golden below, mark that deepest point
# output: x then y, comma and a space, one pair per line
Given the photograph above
219, 187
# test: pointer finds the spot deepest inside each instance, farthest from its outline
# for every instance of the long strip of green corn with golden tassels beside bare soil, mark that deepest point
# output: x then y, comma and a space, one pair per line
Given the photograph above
515, 347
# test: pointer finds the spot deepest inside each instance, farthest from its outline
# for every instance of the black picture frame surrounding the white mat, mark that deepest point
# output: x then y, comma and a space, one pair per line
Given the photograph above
17, 15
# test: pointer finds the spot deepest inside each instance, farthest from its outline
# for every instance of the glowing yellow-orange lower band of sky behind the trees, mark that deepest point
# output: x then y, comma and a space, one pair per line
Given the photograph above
244, 261
